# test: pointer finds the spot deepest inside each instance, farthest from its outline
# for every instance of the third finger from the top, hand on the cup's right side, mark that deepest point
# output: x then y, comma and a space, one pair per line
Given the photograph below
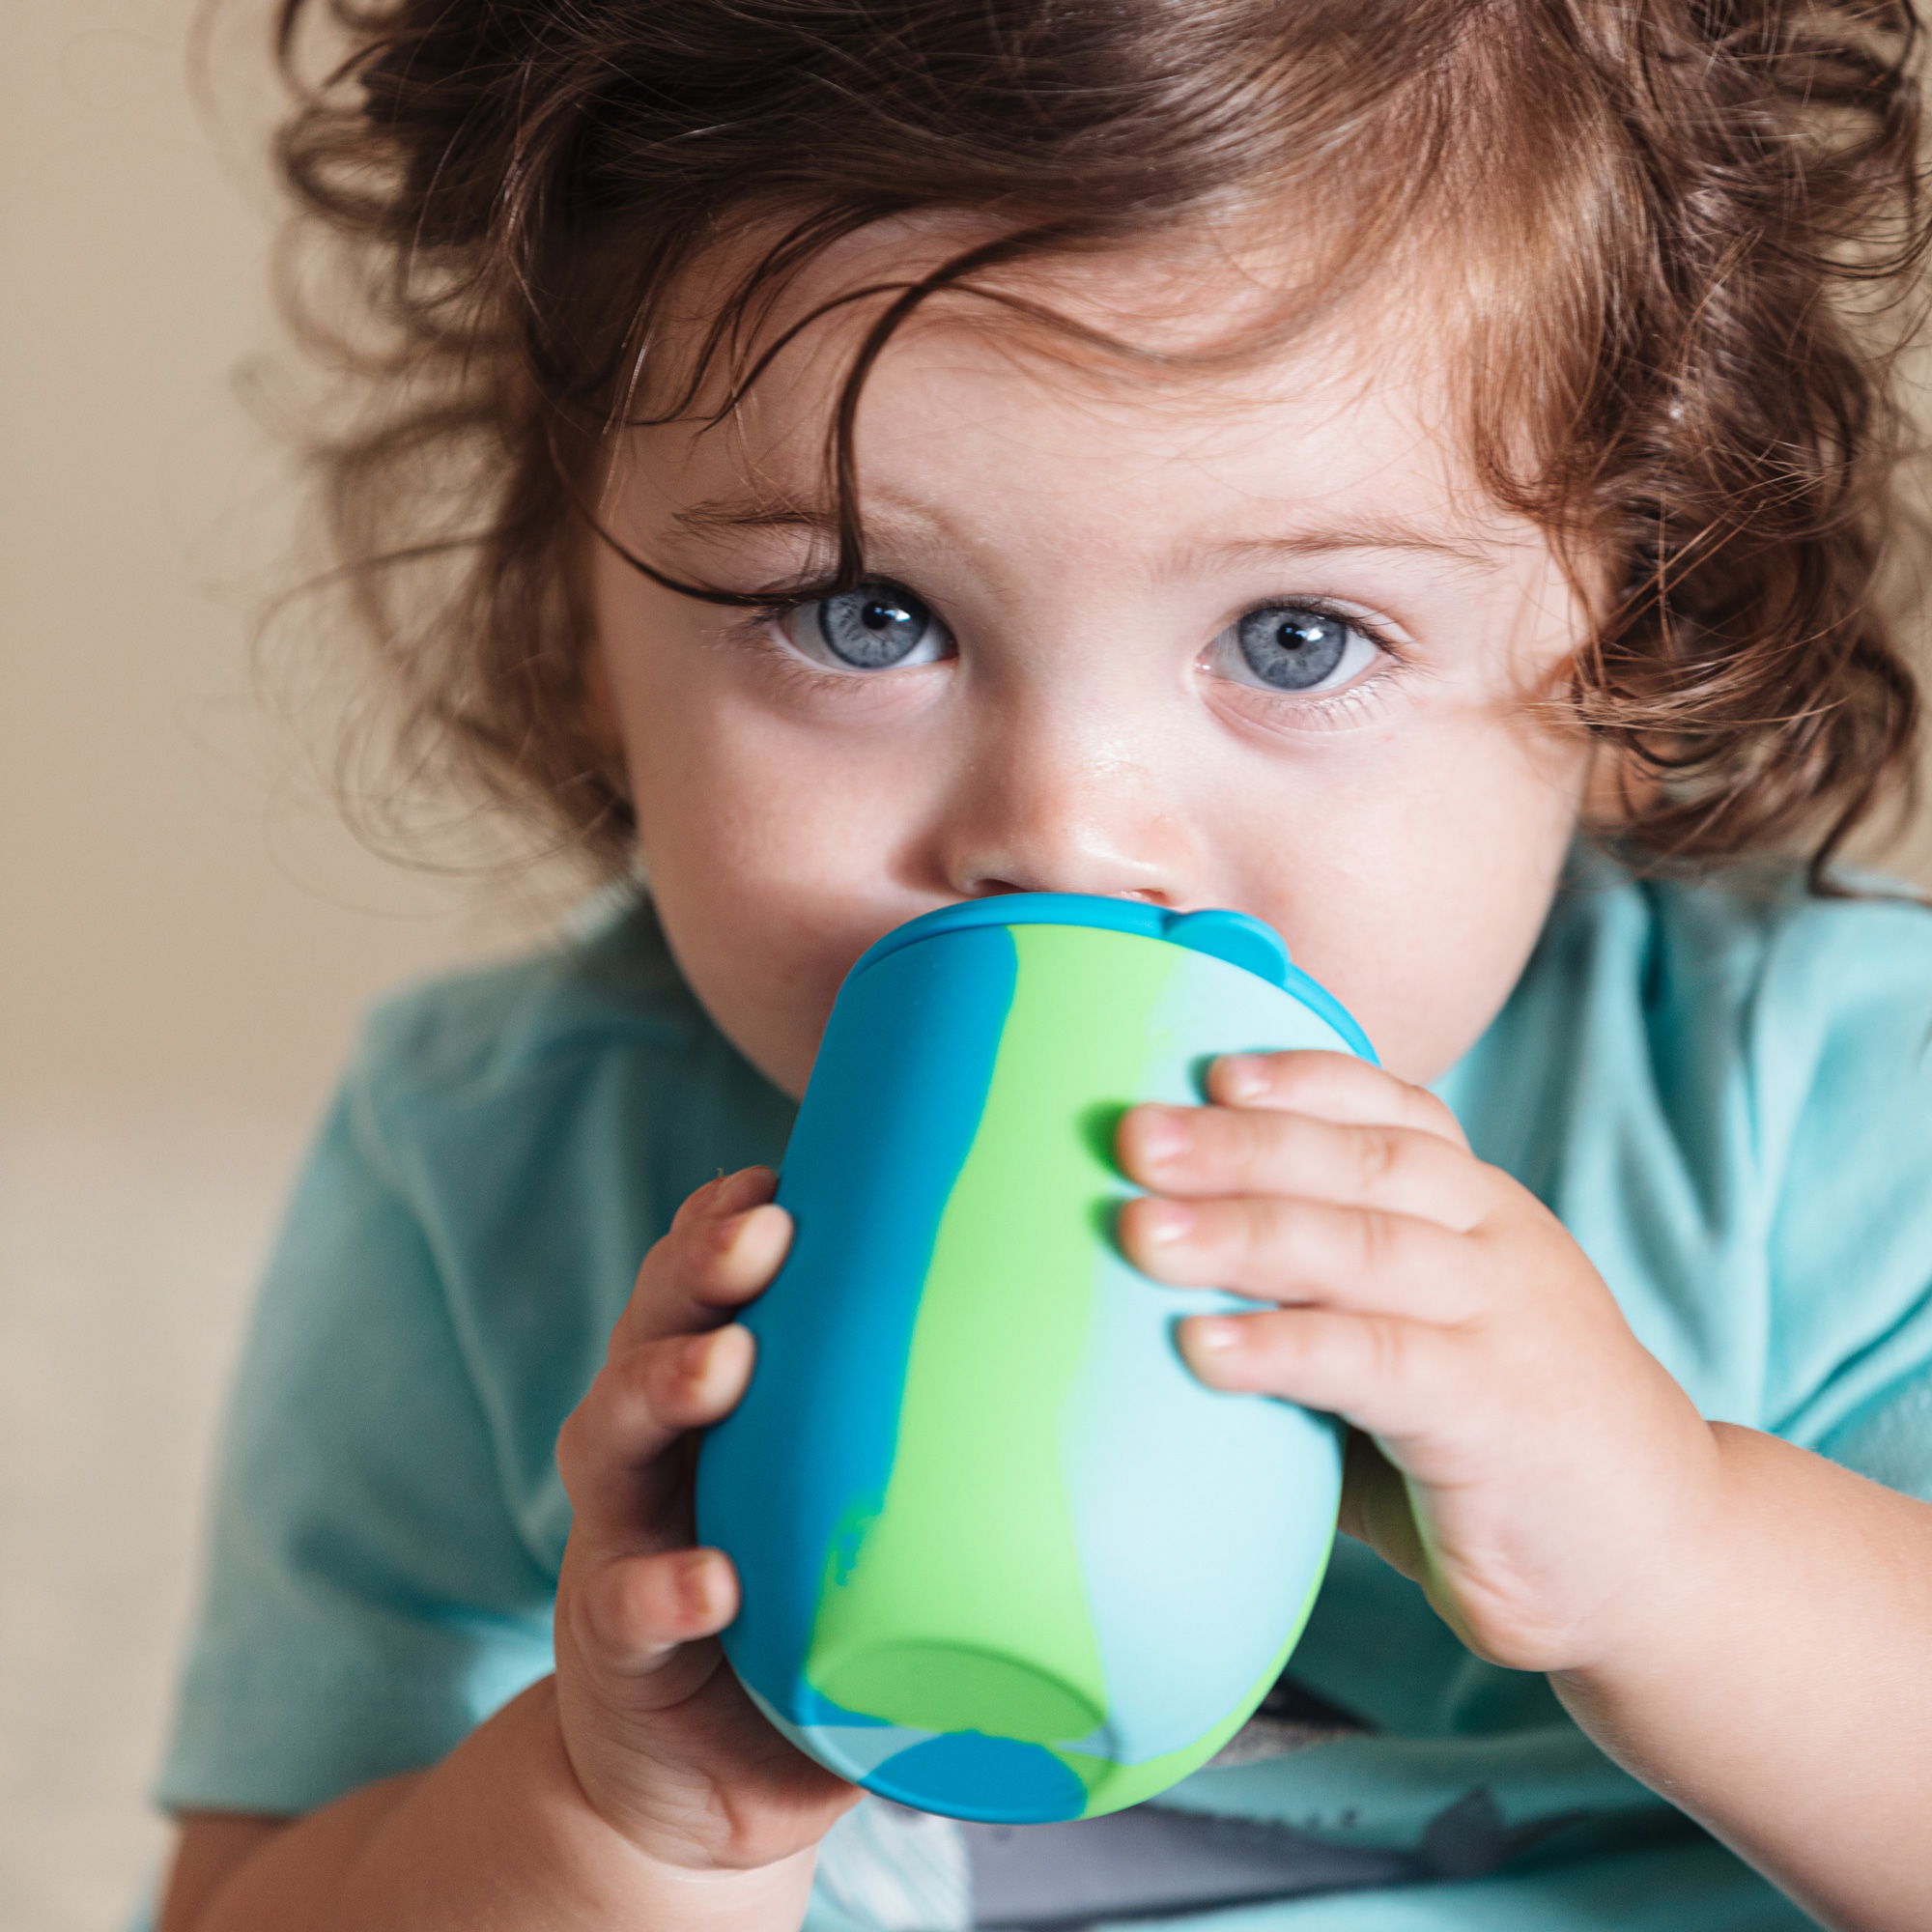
1307, 1253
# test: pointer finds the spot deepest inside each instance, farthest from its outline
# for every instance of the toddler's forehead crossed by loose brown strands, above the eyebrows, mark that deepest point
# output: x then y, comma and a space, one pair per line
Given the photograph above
1224, 374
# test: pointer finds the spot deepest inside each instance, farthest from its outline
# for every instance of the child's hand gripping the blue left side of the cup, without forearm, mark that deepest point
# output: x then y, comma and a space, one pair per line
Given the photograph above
662, 1738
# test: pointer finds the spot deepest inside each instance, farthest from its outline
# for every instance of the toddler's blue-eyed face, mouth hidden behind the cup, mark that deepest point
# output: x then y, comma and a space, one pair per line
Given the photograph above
1255, 640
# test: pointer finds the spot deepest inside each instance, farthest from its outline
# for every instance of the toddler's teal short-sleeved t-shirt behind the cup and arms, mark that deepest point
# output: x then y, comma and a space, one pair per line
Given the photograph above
1724, 1091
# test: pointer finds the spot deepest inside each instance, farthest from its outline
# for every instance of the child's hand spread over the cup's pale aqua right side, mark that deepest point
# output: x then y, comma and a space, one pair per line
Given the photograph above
1514, 1446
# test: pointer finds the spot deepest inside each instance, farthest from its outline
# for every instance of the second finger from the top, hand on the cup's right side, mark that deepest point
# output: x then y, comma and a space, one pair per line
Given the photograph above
1245, 1151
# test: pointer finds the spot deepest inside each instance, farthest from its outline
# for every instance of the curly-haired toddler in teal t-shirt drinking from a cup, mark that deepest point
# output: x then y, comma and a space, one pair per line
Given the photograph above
1411, 470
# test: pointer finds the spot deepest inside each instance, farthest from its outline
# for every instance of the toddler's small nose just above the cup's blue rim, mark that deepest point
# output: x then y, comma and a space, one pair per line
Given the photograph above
1054, 810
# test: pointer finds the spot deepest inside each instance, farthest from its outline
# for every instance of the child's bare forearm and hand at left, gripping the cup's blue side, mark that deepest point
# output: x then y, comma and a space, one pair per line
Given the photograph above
640, 1786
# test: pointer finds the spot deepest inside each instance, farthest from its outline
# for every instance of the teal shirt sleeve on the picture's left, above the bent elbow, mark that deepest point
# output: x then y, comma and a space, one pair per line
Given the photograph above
370, 1593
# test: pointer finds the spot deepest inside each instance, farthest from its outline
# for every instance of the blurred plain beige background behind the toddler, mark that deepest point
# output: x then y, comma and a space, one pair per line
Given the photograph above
185, 930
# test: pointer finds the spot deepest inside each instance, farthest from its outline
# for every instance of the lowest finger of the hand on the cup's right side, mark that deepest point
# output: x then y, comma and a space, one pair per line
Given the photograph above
1386, 1377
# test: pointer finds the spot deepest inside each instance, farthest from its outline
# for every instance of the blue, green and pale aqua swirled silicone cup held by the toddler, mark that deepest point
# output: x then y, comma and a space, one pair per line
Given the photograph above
1002, 1556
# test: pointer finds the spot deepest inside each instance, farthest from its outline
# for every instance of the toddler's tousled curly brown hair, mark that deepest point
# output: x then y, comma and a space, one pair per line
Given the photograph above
1690, 229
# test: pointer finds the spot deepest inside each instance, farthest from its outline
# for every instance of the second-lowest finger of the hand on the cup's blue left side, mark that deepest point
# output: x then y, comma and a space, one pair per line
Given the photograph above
611, 1450
